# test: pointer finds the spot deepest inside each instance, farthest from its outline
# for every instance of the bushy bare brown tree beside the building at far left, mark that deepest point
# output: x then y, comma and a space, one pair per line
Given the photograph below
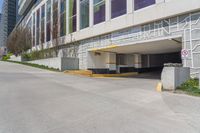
19, 41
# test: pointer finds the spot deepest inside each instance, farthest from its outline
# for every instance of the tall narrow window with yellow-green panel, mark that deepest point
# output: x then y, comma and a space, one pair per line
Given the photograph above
72, 16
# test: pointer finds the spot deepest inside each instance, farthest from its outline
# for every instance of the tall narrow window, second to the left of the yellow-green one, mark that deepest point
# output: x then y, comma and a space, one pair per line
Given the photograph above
55, 19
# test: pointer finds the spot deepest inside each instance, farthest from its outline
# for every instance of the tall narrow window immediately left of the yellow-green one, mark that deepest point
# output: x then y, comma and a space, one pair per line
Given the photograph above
62, 17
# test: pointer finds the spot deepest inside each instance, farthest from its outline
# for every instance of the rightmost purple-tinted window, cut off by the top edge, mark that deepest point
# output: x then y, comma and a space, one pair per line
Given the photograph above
143, 3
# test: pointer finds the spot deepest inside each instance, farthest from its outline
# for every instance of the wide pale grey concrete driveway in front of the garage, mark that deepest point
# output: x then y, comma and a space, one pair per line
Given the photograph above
39, 101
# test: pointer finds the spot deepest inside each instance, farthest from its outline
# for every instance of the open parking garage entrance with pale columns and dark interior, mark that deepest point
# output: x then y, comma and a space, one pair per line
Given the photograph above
149, 56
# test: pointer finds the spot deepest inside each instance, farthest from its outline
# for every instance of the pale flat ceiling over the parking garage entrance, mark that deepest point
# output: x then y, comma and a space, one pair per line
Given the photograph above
152, 47
